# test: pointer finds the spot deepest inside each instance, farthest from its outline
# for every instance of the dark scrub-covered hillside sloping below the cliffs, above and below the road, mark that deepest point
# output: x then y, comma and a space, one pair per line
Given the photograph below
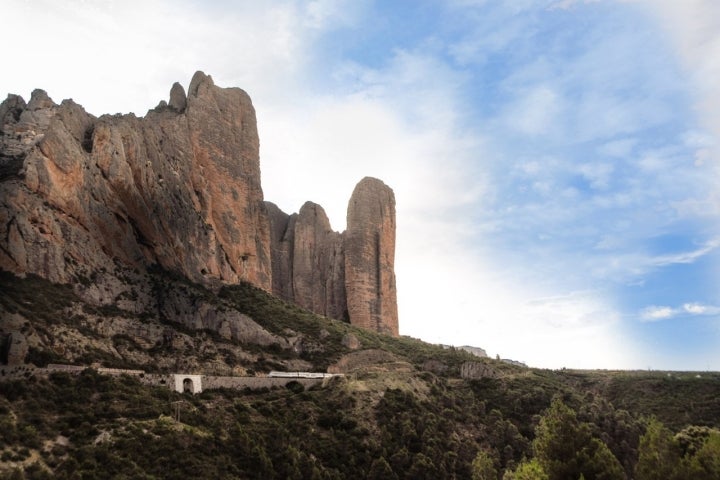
407, 415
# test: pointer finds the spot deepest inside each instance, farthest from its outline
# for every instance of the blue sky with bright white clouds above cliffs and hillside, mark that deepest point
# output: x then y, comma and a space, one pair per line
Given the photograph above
555, 162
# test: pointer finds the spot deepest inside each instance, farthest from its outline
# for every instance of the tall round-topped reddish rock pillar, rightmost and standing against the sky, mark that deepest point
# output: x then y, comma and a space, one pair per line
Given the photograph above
370, 257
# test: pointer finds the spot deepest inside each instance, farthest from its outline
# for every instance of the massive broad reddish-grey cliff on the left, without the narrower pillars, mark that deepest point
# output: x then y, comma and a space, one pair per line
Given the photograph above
179, 188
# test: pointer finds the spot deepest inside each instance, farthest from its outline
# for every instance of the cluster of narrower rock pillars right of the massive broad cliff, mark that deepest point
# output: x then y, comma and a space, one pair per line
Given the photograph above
347, 276
